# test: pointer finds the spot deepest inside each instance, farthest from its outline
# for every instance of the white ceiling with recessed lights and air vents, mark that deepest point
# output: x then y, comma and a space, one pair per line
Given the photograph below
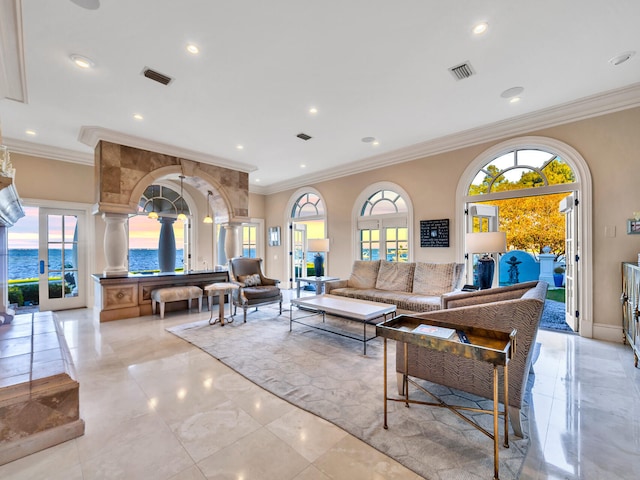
374, 68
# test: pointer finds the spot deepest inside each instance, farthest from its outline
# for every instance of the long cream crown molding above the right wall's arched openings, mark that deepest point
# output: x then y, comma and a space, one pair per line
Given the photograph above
581, 109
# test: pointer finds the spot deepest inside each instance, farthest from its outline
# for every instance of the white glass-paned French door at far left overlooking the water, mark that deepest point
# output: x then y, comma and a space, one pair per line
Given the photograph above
62, 283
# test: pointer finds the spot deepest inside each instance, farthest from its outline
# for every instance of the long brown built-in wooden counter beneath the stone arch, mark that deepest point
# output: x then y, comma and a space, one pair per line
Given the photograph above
125, 297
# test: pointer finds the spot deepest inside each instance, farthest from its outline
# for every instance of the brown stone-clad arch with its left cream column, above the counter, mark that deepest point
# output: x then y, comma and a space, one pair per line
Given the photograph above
123, 173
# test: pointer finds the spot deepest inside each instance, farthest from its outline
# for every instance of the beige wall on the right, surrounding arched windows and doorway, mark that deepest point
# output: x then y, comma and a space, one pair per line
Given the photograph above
610, 145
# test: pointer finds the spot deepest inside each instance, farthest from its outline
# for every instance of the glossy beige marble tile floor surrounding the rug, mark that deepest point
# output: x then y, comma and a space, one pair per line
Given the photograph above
157, 408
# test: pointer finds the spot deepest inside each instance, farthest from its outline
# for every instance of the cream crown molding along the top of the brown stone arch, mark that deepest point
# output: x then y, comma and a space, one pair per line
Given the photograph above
91, 135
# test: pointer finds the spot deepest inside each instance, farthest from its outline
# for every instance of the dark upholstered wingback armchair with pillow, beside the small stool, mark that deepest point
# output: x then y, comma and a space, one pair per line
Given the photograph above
255, 289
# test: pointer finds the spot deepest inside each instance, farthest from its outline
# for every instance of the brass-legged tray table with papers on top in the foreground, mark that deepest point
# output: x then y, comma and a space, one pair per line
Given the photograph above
489, 346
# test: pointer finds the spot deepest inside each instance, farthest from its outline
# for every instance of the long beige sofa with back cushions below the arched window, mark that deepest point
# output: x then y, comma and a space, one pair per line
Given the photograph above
411, 286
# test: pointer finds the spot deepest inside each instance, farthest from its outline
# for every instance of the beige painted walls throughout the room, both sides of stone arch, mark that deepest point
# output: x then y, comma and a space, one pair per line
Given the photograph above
610, 145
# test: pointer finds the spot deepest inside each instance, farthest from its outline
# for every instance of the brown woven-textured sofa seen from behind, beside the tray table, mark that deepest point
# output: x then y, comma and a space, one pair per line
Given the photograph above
517, 307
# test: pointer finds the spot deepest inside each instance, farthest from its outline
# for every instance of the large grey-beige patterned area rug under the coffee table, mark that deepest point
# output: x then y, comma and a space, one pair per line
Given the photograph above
329, 376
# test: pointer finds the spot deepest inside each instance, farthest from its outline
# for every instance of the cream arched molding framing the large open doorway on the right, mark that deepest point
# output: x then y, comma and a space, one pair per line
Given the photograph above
583, 185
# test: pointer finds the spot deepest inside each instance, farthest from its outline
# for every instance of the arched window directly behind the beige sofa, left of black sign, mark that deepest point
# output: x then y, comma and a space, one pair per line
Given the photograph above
383, 225
